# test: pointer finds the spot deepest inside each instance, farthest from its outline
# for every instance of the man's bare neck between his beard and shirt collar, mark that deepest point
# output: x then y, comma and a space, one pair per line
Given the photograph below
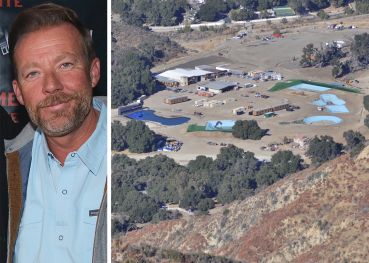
62, 146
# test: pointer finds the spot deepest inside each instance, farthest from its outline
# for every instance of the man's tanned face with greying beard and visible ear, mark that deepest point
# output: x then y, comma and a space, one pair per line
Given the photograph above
54, 81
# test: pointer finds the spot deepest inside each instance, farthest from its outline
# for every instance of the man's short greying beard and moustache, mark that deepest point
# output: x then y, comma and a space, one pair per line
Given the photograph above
62, 122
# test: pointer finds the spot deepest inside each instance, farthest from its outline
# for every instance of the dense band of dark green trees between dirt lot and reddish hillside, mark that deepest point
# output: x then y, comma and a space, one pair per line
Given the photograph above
142, 189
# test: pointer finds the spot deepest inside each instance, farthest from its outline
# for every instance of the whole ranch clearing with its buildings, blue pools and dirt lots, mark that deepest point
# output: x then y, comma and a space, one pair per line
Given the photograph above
254, 75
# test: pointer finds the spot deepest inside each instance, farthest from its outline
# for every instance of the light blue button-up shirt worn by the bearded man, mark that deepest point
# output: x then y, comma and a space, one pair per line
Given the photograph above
60, 213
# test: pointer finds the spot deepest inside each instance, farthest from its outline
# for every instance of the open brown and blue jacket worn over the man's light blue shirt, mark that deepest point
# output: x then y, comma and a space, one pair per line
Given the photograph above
18, 158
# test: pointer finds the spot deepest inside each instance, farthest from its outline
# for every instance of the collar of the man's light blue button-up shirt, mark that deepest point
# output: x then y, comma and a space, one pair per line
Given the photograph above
92, 152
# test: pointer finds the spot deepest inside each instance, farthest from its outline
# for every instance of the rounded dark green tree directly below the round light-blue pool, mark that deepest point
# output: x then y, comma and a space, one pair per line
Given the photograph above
323, 149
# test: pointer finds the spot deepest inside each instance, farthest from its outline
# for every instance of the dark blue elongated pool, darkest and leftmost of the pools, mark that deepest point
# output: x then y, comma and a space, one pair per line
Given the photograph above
149, 115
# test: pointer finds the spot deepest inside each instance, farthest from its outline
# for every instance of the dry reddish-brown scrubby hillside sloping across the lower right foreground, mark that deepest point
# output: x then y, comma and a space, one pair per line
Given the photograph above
317, 215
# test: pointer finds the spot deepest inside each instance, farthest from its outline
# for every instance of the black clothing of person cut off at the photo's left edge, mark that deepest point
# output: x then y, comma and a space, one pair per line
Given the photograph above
8, 130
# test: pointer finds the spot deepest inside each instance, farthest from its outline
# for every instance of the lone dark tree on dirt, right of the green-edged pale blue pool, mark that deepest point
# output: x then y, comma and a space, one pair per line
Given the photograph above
248, 129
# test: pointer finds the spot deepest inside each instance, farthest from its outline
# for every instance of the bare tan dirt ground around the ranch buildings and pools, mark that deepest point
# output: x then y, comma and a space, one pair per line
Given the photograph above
251, 54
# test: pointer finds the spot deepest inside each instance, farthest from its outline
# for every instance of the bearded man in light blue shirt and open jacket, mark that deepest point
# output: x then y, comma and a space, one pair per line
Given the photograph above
57, 206
